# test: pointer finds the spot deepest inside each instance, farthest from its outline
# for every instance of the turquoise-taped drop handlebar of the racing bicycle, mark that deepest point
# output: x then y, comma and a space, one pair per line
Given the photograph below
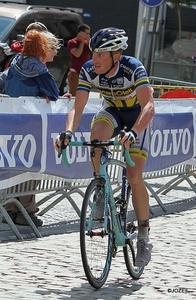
97, 144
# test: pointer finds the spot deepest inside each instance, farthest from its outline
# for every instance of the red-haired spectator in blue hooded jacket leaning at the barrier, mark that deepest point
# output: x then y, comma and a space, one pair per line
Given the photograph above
28, 74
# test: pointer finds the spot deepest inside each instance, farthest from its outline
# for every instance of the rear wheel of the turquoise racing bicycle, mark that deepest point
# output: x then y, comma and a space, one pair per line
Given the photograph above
130, 249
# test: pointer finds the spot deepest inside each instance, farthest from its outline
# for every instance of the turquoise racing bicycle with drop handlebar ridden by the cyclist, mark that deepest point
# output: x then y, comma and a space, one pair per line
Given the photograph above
100, 239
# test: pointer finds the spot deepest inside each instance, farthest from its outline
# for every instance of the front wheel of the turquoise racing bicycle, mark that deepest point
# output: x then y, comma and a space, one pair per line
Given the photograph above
96, 244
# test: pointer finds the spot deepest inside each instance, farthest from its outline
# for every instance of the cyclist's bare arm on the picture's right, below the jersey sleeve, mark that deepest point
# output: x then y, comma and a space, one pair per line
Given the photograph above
146, 101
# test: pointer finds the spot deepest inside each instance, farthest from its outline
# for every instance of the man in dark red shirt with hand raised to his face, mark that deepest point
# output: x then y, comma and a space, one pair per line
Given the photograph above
79, 53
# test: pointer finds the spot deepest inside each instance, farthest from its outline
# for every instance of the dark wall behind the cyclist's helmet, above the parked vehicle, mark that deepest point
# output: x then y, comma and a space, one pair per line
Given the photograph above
101, 13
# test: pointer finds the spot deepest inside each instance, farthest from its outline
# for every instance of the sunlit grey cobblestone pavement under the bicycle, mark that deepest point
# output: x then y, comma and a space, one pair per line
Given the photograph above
50, 267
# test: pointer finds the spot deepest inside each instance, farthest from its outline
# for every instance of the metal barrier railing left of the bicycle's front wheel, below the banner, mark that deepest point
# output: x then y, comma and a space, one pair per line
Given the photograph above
58, 186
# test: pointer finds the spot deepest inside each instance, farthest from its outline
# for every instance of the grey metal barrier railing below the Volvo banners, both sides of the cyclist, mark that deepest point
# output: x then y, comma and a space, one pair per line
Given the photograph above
59, 189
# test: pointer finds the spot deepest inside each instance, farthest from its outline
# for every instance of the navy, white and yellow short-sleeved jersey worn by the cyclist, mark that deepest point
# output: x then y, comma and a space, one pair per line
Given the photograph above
118, 90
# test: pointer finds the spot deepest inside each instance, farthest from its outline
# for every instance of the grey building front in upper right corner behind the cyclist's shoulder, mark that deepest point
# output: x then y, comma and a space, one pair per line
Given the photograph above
165, 51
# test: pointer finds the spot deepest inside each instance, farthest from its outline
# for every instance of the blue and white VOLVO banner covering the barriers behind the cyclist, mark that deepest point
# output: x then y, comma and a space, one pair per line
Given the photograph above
29, 126
